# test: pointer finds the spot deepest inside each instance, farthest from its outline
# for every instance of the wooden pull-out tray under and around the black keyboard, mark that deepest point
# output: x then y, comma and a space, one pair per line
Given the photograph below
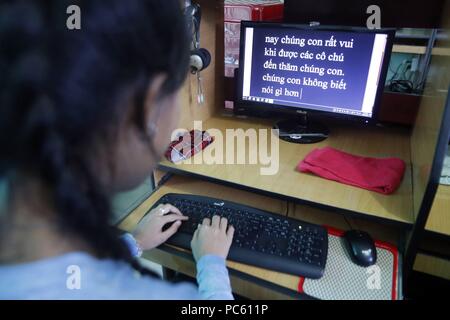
248, 281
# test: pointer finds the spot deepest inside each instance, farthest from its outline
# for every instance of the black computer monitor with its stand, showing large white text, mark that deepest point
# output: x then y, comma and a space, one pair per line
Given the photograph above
288, 69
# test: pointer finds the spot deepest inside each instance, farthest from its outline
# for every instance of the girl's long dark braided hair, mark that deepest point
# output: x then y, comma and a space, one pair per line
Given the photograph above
60, 89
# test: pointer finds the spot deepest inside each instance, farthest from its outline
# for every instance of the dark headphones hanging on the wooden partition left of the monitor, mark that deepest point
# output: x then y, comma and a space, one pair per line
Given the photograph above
200, 57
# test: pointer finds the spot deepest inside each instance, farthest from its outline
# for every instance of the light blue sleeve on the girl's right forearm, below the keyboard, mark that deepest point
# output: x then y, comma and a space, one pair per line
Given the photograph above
213, 279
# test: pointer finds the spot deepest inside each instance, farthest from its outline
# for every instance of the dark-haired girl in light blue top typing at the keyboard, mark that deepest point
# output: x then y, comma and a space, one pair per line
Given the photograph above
84, 114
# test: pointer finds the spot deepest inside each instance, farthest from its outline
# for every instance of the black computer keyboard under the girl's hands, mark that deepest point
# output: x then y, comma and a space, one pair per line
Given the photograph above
261, 238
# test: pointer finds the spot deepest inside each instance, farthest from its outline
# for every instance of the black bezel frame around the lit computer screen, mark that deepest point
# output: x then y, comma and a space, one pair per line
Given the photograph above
261, 109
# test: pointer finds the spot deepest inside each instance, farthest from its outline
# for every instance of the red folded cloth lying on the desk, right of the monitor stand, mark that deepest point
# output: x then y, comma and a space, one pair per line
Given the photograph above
375, 174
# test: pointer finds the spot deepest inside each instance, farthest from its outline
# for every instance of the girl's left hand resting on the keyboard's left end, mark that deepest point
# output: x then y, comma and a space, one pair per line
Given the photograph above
149, 233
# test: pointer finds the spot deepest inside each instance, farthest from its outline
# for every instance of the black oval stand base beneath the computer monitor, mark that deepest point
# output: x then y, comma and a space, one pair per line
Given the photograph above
301, 130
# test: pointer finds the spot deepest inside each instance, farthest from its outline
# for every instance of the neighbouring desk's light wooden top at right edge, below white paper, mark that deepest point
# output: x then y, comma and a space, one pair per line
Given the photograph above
439, 218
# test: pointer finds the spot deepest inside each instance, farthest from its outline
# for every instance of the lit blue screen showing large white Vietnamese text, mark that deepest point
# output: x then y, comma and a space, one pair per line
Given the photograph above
325, 70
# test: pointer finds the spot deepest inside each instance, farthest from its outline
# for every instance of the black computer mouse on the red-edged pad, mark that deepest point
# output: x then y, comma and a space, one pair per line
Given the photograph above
361, 247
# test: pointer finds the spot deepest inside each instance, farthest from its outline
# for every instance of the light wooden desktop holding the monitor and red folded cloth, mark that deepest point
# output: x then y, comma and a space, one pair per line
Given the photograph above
290, 184
